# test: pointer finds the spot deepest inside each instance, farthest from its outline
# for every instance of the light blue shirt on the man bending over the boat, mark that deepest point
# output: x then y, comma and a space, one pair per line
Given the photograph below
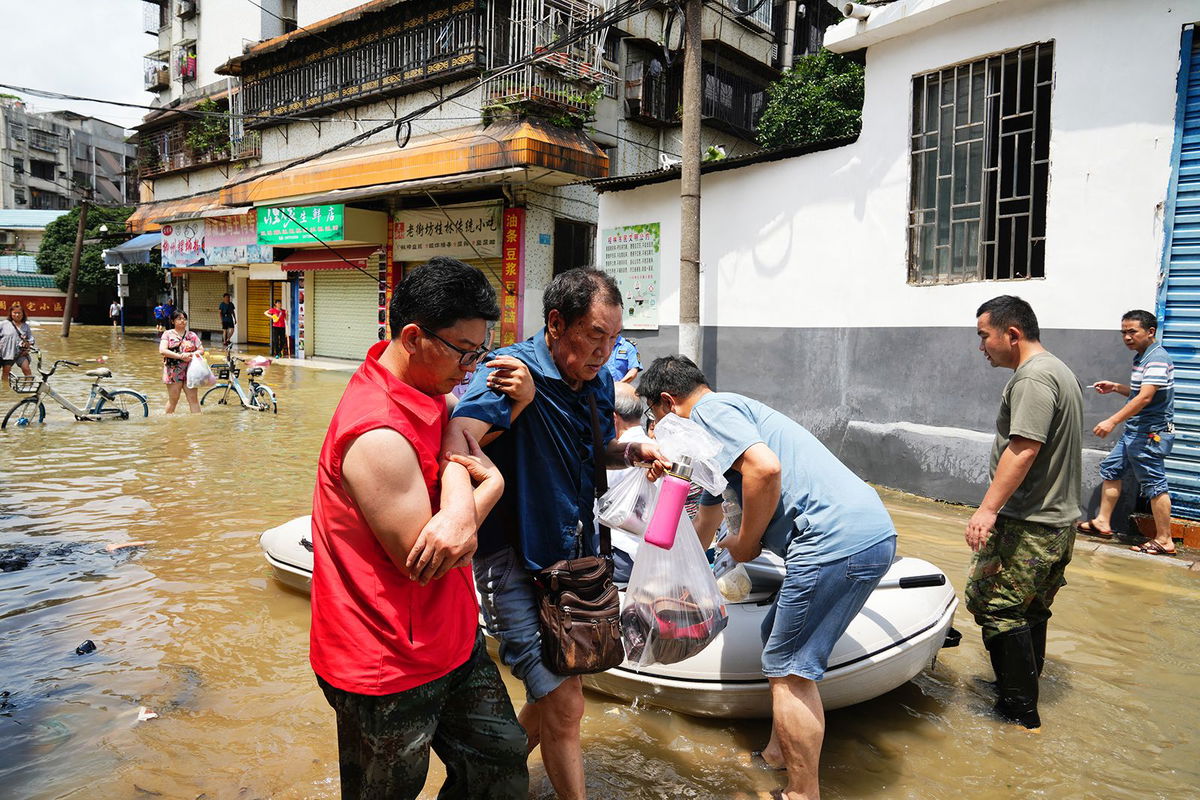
827, 509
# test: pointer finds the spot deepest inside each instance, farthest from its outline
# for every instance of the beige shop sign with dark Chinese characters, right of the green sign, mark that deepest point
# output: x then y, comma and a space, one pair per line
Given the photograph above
465, 232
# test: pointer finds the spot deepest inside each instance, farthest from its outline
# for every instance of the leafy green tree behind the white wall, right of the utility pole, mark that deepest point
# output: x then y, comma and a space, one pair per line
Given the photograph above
820, 99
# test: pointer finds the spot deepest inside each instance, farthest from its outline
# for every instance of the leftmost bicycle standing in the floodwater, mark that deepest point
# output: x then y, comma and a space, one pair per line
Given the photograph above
103, 404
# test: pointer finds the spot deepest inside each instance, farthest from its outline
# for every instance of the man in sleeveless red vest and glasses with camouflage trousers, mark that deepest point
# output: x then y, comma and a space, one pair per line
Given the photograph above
399, 652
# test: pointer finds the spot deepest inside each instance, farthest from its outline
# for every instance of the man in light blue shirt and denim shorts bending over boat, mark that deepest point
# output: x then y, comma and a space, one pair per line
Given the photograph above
800, 502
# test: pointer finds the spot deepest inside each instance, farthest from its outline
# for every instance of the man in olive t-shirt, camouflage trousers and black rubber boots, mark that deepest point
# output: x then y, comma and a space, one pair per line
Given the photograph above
1023, 534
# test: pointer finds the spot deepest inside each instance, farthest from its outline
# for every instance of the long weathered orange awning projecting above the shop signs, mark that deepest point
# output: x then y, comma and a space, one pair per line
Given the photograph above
542, 153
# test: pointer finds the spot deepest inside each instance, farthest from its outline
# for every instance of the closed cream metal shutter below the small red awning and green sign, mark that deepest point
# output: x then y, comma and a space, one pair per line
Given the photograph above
345, 314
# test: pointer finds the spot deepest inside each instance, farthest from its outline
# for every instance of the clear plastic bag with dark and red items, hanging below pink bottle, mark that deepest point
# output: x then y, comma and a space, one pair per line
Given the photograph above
674, 609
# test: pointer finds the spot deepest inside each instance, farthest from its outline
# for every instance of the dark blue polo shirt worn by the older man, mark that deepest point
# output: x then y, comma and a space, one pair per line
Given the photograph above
547, 459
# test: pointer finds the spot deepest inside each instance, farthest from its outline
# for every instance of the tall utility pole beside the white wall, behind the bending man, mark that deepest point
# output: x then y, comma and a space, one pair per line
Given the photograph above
689, 185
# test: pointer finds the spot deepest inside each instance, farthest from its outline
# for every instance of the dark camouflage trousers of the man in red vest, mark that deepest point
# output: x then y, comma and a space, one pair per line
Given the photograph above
466, 717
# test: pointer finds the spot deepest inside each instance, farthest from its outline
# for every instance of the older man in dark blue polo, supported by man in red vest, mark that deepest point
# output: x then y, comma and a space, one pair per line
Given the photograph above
545, 452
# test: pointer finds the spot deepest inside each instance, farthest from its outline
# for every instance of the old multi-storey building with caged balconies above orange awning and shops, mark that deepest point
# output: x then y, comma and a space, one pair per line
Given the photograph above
293, 129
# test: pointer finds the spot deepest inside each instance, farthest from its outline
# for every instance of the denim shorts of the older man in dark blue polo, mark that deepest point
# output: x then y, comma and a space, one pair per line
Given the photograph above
511, 612
